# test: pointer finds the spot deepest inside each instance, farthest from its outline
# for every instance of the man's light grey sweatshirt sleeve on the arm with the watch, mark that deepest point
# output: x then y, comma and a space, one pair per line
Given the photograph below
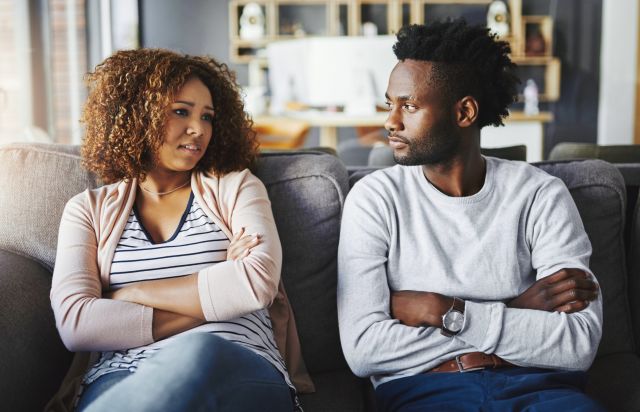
538, 338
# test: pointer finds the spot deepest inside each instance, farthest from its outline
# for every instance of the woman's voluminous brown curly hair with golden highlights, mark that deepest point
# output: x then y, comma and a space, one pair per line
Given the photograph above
126, 111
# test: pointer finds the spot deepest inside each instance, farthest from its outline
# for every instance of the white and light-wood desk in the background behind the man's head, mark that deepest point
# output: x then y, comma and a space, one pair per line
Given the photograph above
519, 129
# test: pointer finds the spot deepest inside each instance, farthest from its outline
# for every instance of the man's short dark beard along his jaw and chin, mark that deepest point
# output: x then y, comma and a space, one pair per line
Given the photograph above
438, 146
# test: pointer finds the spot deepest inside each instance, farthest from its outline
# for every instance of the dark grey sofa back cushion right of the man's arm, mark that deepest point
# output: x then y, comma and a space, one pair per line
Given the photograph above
598, 189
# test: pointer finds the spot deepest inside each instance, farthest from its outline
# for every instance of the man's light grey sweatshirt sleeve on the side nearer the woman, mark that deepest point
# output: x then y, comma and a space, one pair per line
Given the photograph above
375, 344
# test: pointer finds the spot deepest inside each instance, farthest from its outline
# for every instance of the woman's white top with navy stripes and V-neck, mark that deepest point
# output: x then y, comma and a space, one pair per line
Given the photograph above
196, 244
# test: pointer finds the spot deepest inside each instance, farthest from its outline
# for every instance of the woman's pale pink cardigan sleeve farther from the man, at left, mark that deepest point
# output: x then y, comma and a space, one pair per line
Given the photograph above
85, 321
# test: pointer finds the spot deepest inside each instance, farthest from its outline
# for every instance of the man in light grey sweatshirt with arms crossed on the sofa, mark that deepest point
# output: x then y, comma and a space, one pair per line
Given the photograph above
452, 261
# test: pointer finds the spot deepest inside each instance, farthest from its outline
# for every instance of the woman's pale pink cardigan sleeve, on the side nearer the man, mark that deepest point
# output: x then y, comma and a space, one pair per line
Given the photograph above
234, 288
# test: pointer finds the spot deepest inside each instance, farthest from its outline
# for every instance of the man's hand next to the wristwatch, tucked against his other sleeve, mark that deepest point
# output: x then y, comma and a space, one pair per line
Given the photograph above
414, 308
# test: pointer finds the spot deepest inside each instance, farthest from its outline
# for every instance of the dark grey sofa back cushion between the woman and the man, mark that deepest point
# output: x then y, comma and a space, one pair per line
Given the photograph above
307, 192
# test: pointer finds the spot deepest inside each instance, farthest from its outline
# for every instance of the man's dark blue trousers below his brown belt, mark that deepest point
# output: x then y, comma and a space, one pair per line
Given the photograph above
499, 390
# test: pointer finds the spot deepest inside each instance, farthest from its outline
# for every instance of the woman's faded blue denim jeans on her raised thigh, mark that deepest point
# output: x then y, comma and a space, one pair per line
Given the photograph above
197, 372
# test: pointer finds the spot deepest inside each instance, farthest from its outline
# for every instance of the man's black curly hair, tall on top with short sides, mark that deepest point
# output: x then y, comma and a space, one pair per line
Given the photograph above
467, 61
